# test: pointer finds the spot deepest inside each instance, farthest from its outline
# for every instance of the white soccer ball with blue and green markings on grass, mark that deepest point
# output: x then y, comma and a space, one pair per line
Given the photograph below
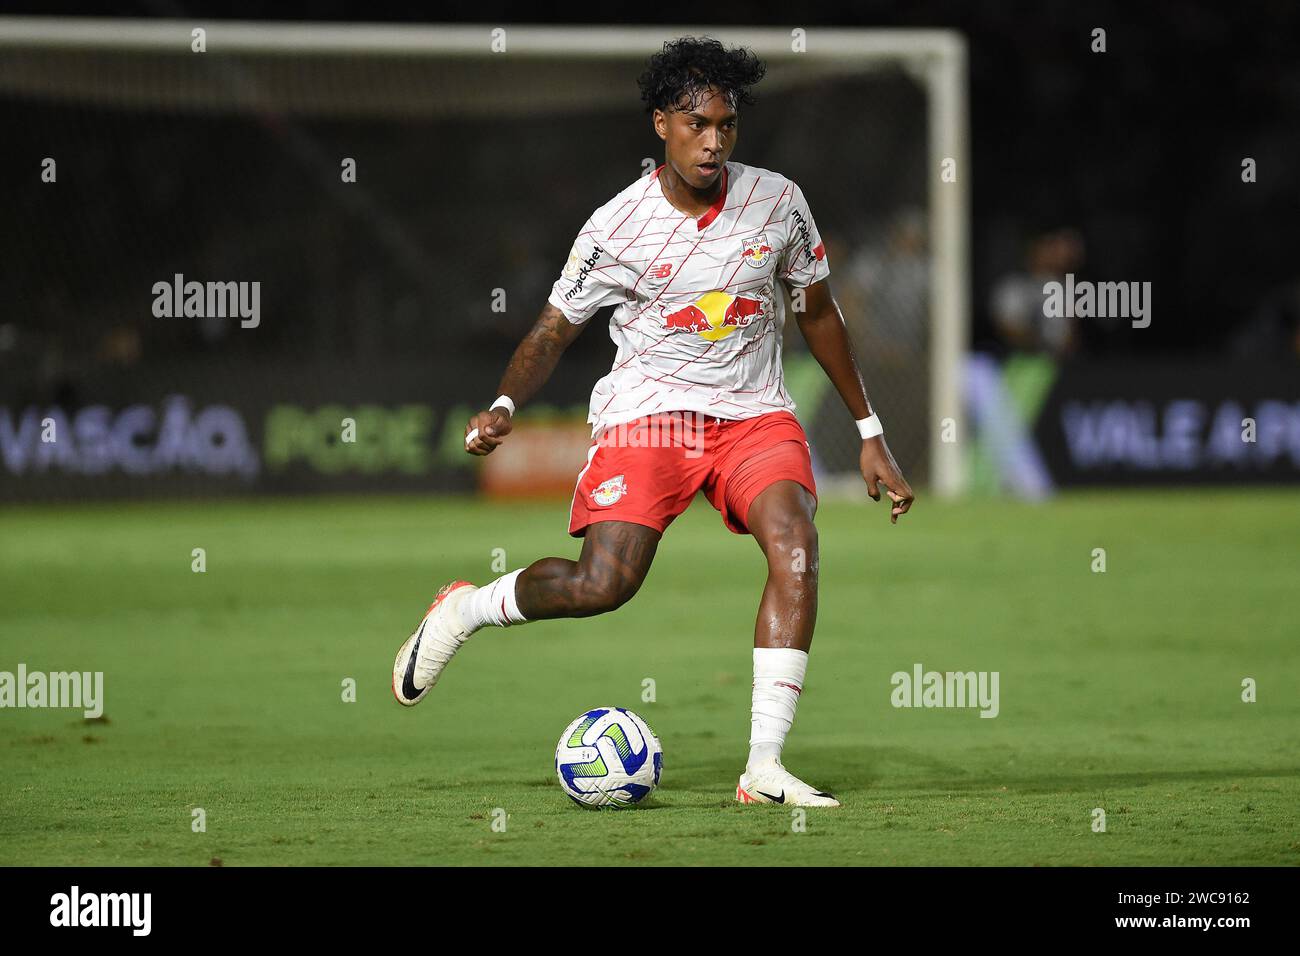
609, 758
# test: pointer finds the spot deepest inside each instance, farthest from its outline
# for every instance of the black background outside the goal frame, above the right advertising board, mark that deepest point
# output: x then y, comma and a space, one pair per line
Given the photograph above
1138, 149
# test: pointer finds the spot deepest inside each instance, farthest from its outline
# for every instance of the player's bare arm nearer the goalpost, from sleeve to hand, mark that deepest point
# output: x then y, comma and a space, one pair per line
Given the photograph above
824, 328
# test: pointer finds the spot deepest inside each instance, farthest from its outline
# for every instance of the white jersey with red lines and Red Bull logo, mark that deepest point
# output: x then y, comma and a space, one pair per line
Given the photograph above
699, 321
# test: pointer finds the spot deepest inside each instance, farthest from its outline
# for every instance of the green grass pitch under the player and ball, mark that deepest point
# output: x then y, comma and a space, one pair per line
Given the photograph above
1119, 690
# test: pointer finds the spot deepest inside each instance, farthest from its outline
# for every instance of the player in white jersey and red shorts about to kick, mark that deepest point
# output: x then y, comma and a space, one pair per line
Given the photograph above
691, 257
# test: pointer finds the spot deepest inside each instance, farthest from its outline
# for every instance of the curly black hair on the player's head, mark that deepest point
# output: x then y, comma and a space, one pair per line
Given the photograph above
690, 66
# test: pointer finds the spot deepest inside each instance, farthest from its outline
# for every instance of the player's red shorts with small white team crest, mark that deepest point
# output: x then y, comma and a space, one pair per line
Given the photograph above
648, 471
